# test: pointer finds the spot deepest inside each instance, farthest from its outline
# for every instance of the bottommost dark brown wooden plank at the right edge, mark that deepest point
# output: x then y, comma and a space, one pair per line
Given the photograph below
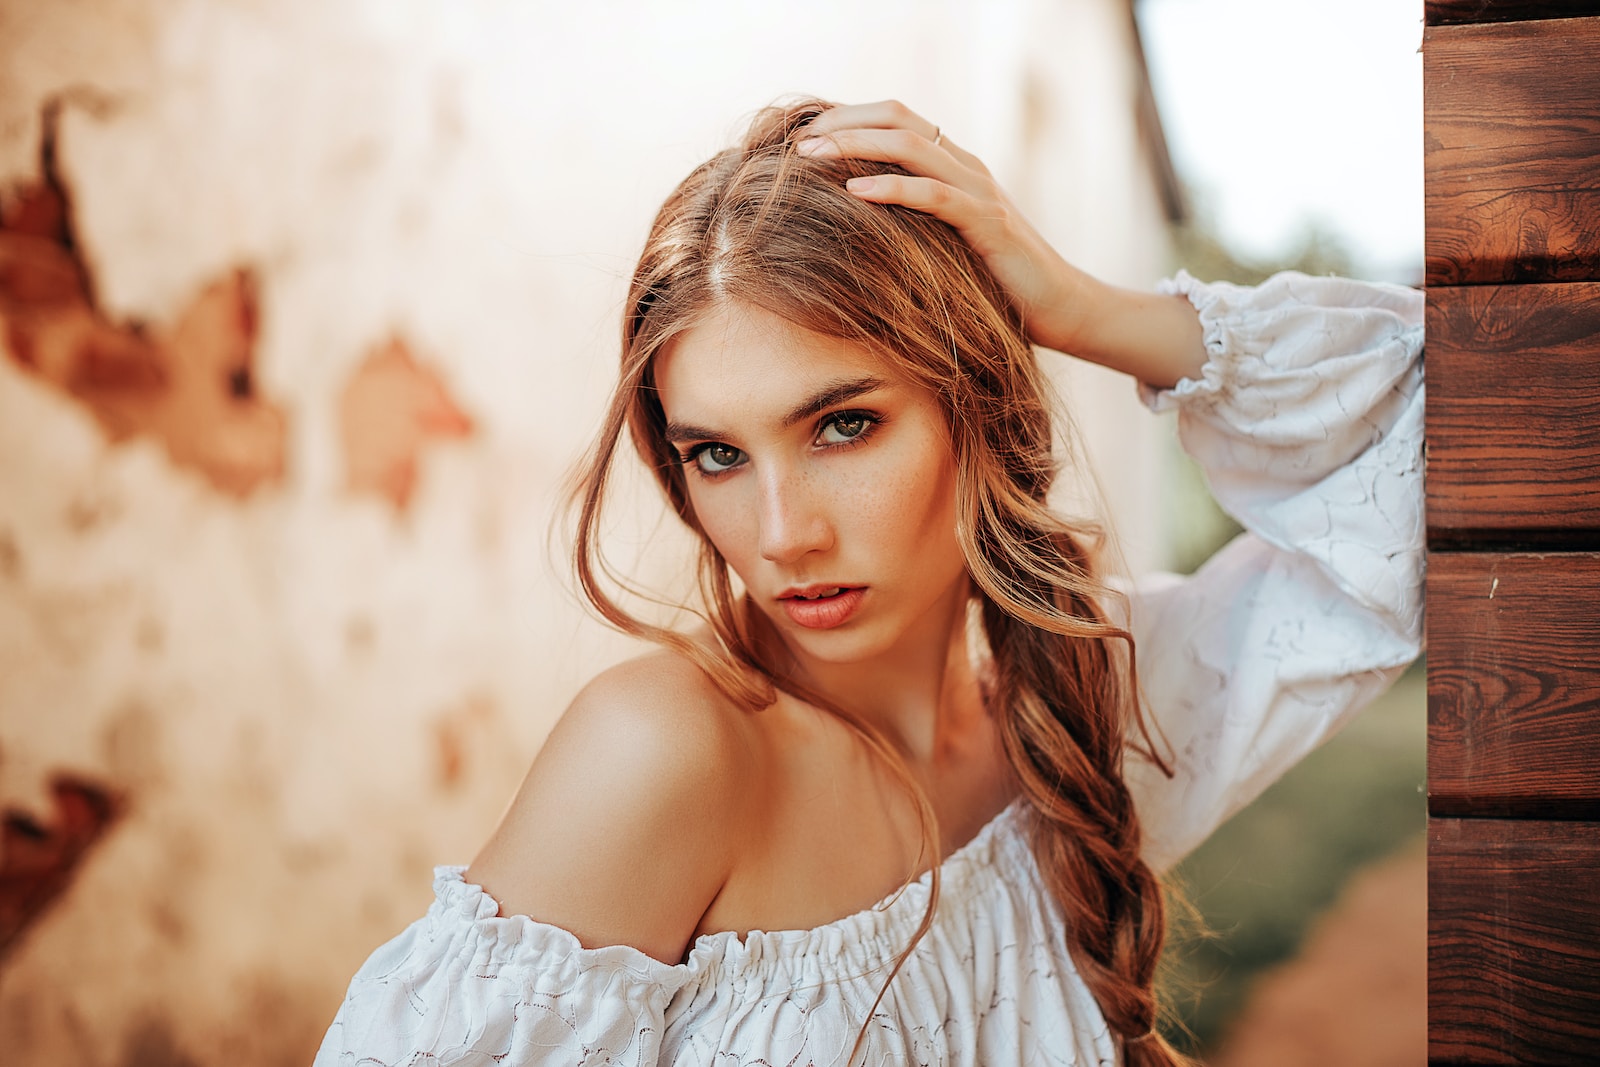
1513, 941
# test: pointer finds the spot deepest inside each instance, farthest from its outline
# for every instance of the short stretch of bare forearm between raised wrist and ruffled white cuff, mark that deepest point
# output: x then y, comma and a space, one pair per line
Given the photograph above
1154, 338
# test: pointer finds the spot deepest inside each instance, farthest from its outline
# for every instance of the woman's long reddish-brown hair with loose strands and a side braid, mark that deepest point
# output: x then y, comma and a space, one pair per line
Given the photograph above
762, 226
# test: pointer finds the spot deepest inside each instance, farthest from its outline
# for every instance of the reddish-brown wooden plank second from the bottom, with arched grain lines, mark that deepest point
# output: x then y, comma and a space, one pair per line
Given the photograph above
1514, 684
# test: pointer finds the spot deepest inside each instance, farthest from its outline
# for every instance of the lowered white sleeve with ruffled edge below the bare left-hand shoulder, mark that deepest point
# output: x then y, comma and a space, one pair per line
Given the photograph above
463, 986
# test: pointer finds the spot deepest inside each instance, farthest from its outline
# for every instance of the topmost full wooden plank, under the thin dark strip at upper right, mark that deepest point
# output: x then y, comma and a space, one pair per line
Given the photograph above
1513, 151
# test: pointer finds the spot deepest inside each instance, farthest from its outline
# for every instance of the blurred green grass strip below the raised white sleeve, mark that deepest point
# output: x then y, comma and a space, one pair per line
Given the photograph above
1263, 879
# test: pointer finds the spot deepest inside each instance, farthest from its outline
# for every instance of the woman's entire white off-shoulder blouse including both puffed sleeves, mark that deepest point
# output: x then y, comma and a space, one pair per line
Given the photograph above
1308, 422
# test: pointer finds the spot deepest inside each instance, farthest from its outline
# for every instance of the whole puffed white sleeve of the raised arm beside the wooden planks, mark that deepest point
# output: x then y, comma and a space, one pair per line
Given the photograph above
1308, 423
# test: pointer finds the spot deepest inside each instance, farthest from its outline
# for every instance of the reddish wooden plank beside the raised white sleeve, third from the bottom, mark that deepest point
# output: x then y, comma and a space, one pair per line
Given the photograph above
1514, 409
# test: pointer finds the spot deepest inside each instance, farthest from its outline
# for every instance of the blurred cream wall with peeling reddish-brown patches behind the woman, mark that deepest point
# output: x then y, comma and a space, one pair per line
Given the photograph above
306, 310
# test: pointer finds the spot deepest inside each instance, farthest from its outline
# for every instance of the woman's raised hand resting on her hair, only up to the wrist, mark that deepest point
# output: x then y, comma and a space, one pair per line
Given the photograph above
953, 185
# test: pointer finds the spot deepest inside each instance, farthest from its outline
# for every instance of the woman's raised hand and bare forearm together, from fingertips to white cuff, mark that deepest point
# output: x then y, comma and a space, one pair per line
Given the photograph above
1154, 338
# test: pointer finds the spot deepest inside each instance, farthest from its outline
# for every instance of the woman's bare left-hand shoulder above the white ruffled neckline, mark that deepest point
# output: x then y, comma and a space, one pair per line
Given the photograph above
631, 818
